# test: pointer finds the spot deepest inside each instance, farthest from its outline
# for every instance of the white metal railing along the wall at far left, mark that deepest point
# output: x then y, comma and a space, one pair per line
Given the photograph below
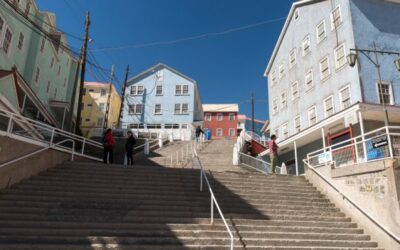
41, 134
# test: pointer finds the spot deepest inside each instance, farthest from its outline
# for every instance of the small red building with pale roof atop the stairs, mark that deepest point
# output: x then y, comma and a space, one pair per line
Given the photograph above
221, 119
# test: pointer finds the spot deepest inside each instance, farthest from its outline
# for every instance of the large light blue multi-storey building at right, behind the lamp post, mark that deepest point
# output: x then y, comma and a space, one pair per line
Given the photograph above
312, 89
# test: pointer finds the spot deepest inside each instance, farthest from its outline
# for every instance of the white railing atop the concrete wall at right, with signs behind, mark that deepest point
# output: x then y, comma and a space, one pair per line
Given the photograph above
379, 144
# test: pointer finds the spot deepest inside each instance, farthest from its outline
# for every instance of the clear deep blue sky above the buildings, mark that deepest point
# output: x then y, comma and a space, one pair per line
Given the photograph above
227, 67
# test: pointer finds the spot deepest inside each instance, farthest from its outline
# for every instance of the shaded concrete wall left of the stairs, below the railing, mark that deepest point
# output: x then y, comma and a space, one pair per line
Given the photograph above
24, 169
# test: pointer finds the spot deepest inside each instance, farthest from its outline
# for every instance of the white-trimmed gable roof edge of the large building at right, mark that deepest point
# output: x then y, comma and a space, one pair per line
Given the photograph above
295, 5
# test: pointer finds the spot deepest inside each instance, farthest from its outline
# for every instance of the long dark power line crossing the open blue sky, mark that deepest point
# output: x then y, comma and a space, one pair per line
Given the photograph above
196, 37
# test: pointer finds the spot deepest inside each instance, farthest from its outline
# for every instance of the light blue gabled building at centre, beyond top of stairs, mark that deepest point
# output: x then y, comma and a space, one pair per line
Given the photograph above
161, 99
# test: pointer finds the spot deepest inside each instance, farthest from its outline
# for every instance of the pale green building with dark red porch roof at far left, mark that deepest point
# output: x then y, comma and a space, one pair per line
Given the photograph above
38, 72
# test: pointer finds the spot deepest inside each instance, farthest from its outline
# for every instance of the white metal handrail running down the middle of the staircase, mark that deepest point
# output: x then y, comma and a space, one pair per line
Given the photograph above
213, 199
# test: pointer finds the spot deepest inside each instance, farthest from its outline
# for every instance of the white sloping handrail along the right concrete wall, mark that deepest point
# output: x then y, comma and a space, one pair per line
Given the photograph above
344, 196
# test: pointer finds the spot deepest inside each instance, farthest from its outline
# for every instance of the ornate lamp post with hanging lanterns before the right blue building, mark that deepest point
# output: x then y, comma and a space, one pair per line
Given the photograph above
352, 59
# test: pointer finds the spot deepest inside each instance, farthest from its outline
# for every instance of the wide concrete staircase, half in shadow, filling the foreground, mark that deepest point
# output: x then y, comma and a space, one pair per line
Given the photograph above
95, 206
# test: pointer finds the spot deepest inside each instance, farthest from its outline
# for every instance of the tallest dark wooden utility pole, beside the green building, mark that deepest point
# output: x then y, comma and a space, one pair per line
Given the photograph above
82, 80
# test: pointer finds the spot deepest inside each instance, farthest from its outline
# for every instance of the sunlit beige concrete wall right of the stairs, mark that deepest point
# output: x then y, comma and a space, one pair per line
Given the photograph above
374, 187
